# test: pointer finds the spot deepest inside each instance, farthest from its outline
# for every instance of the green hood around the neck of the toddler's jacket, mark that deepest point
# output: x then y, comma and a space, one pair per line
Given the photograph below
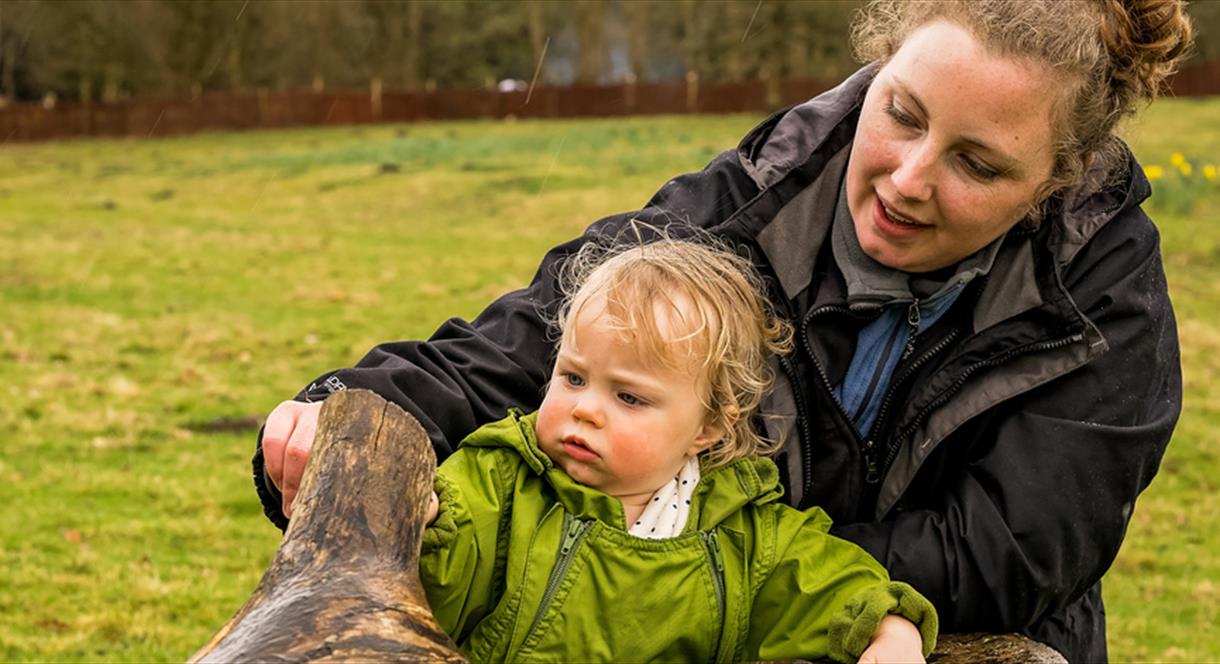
722, 491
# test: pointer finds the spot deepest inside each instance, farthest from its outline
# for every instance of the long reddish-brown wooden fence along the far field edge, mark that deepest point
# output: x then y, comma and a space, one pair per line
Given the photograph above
265, 109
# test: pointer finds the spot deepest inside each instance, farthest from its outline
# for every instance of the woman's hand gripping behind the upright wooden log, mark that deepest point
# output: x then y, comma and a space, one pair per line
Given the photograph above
287, 441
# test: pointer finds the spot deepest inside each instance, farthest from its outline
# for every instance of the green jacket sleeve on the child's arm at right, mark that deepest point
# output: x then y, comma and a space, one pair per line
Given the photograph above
827, 597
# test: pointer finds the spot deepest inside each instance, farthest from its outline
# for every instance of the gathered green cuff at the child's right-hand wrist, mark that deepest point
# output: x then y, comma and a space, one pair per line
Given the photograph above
852, 629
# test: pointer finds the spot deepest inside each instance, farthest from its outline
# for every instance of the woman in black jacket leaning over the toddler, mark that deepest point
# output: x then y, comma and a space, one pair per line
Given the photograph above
989, 368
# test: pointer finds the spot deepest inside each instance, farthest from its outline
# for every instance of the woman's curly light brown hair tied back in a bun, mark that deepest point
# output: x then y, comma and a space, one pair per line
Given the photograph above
1111, 56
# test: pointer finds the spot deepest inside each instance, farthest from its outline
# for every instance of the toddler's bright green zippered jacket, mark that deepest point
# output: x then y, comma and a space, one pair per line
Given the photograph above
525, 565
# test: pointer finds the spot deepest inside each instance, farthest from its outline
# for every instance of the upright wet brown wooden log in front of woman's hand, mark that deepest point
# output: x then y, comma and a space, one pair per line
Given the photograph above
345, 584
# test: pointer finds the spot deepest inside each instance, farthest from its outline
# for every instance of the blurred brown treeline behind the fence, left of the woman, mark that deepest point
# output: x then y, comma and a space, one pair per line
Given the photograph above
108, 51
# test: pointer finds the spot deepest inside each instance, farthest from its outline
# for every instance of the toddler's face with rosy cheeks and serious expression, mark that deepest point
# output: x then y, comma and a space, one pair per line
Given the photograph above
615, 423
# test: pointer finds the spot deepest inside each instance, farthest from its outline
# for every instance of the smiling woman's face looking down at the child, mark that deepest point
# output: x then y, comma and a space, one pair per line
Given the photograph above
952, 147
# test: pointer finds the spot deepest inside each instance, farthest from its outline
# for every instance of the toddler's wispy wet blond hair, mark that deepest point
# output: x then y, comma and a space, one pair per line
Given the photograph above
689, 306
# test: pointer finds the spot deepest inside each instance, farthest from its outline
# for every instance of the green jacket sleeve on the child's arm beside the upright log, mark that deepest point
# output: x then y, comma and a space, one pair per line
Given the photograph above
462, 552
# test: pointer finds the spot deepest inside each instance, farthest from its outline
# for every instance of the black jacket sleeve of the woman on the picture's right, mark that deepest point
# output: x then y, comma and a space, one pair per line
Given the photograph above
1036, 513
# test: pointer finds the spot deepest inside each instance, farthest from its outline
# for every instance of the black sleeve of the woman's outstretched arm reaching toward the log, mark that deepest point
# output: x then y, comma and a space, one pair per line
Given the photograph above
469, 374
